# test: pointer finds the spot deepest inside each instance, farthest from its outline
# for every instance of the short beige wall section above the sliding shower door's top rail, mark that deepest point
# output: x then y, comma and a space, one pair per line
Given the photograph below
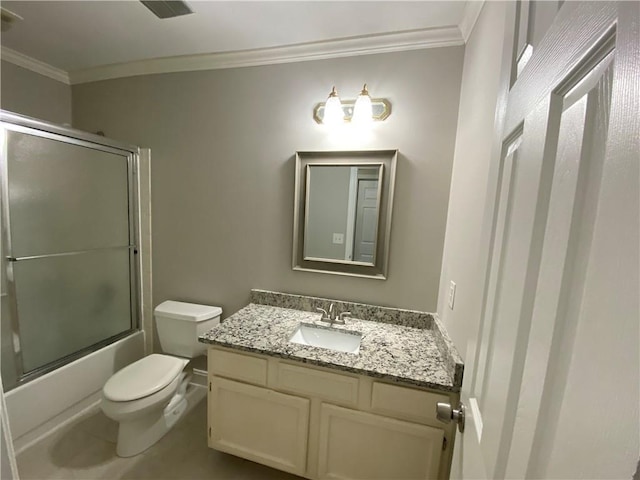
34, 95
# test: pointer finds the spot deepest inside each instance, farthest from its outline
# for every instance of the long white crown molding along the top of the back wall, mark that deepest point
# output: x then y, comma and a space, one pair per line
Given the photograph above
365, 45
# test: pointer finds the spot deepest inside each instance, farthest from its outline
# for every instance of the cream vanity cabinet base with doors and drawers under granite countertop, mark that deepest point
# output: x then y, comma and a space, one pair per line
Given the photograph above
321, 423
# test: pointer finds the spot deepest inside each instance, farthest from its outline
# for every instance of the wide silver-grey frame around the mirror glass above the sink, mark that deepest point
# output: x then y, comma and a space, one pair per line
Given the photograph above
389, 159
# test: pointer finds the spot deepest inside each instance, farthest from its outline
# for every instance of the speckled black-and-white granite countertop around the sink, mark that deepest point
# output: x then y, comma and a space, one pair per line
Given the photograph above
416, 356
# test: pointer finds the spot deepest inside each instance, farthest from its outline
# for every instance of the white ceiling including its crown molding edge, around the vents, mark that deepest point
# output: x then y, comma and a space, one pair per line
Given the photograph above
86, 36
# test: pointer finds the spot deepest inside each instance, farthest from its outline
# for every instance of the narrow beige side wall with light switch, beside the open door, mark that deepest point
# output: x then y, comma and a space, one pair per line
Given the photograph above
473, 154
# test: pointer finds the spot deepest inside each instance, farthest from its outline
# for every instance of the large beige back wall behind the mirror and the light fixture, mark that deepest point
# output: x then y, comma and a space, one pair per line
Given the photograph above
223, 145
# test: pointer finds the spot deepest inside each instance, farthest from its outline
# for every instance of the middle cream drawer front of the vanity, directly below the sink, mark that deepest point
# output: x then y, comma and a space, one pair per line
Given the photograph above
332, 387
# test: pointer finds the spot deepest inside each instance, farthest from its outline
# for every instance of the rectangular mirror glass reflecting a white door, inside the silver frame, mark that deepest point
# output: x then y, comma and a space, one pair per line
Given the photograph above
341, 216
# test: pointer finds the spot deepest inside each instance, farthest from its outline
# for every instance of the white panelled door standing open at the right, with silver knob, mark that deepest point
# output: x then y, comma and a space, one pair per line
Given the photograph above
554, 382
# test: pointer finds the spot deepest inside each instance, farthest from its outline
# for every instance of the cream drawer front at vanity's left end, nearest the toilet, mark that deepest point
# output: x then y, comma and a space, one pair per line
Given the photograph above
238, 366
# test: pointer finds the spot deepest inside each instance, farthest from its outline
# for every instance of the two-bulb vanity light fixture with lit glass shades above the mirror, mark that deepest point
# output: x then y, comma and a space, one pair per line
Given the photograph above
362, 111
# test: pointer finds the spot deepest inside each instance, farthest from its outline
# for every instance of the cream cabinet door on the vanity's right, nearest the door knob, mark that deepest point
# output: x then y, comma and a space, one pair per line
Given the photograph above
357, 445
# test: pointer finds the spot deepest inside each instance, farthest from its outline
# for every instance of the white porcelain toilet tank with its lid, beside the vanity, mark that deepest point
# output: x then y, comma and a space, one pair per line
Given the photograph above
179, 324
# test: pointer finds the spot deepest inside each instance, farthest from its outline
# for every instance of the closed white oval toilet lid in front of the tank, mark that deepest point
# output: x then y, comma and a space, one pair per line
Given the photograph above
143, 378
